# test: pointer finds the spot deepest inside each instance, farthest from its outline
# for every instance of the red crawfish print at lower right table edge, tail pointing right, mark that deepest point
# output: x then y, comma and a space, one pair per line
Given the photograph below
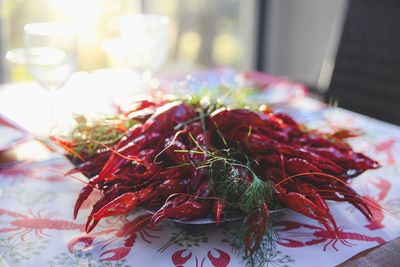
318, 235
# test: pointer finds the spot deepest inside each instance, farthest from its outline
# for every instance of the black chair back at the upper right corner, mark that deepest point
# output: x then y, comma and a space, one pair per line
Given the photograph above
366, 76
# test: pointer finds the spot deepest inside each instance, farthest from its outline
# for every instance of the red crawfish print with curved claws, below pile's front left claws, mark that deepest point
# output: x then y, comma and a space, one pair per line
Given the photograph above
121, 230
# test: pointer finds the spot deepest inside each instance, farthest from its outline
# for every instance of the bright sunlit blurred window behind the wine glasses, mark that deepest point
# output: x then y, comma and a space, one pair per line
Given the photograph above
202, 33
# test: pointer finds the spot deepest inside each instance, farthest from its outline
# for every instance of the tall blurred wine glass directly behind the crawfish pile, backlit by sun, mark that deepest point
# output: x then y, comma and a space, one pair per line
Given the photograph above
144, 40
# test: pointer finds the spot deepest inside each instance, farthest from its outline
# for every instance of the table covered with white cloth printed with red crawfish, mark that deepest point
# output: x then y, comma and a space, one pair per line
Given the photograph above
36, 226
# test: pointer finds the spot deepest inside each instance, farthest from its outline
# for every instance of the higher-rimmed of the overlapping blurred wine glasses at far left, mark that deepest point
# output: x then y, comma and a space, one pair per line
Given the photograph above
50, 56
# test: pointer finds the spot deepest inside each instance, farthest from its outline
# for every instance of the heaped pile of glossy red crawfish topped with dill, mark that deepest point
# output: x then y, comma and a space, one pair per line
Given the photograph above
188, 160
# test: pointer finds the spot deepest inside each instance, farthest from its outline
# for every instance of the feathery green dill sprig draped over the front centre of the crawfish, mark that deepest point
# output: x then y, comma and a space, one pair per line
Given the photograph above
232, 178
